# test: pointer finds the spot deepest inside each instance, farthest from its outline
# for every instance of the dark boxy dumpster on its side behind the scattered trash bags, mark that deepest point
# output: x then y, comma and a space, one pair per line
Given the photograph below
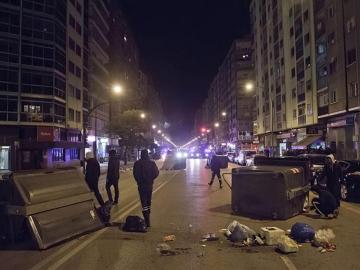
270, 192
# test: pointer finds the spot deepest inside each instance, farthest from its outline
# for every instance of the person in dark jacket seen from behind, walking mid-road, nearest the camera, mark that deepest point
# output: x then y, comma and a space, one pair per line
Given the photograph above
145, 172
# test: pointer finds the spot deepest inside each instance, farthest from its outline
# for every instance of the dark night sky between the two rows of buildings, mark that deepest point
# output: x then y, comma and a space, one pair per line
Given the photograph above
181, 44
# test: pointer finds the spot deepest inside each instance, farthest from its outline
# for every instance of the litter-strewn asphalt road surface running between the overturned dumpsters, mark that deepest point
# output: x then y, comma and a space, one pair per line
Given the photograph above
184, 205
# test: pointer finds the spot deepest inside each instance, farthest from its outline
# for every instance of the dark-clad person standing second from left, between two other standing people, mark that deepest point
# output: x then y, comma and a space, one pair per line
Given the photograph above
112, 178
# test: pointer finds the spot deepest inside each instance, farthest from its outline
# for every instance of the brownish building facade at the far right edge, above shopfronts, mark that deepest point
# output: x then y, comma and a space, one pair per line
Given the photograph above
337, 39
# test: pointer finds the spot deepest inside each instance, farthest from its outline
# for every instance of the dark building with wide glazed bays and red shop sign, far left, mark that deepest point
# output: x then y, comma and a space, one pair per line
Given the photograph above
36, 131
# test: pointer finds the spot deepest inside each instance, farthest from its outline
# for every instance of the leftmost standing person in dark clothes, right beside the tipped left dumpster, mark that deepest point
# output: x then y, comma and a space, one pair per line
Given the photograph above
92, 174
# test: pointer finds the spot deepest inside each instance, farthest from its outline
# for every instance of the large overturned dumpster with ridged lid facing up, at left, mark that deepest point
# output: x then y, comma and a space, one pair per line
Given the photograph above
48, 206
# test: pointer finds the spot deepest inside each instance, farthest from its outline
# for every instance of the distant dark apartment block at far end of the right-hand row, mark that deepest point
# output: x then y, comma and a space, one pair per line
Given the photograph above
228, 110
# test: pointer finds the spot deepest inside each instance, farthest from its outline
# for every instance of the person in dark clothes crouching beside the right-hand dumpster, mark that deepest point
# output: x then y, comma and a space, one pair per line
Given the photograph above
326, 204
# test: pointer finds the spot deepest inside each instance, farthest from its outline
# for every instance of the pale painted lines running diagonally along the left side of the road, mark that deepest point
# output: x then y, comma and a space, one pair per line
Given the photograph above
131, 206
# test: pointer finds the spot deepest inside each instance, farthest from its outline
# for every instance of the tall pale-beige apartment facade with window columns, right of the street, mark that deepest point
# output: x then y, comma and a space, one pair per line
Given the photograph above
285, 64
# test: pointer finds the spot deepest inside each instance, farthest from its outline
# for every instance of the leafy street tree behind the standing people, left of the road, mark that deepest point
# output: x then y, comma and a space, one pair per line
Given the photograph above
131, 129
